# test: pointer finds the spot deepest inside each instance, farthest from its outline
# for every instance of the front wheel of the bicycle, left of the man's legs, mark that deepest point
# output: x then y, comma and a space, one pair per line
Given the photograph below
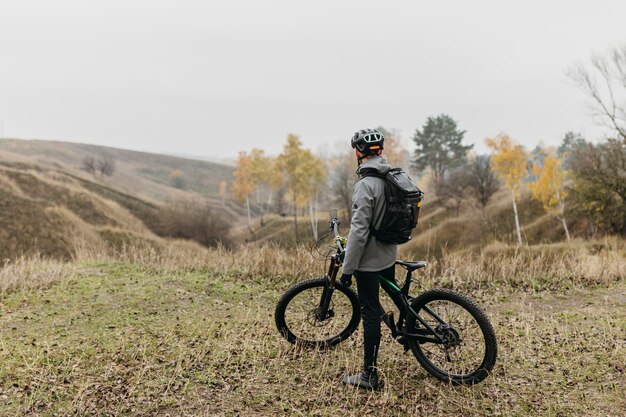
299, 320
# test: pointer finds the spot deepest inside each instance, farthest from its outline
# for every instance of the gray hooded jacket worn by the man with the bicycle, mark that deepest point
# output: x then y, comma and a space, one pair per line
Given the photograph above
364, 252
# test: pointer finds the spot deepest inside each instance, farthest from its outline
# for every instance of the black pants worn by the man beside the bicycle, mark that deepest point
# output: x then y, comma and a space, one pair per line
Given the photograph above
371, 310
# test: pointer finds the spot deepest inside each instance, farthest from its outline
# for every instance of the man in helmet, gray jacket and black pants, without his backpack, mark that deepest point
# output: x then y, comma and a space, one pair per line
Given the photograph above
366, 257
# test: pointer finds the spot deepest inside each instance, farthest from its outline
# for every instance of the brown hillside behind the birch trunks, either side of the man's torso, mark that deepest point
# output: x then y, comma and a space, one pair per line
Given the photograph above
441, 230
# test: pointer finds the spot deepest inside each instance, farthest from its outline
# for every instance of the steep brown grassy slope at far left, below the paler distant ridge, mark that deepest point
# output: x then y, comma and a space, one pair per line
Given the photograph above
54, 213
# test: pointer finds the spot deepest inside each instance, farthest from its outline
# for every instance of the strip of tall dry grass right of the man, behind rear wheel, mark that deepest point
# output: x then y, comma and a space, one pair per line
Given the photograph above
539, 267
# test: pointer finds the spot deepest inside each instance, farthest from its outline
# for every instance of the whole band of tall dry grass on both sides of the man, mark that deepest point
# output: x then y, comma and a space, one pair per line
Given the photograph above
534, 268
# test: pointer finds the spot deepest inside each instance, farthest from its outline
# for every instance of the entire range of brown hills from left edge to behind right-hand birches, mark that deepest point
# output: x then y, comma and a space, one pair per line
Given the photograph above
46, 191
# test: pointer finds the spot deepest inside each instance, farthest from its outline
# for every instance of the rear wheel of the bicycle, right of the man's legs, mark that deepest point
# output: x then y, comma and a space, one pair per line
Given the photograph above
468, 350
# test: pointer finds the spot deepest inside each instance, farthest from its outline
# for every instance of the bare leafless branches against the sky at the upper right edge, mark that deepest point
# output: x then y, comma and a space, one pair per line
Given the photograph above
605, 83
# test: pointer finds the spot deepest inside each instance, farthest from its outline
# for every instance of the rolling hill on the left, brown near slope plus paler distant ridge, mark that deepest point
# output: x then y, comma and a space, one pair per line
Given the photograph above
49, 206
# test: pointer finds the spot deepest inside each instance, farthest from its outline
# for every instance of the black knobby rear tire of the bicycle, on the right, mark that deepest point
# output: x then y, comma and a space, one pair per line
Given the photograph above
478, 373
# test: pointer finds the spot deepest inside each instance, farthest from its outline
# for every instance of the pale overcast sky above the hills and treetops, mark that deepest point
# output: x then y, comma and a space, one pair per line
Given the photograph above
217, 77
